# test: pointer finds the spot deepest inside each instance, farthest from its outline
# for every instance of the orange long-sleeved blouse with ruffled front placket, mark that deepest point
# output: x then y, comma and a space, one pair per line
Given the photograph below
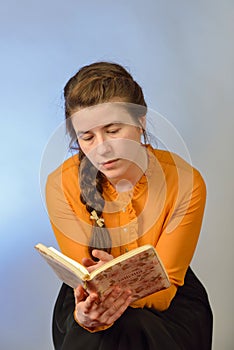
164, 209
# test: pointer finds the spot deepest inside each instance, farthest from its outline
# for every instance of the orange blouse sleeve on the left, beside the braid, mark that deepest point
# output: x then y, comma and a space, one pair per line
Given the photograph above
71, 228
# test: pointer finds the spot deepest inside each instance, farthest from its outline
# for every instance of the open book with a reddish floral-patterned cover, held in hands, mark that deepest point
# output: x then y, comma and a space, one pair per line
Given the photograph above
139, 270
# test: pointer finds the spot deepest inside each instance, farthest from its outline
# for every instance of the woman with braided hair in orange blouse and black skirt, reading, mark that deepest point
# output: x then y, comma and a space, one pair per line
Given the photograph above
115, 194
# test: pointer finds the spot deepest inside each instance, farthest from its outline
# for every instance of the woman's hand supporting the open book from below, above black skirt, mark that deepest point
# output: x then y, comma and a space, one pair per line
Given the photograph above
91, 313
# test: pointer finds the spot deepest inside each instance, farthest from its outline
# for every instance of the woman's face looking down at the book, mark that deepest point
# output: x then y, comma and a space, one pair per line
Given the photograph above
110, 138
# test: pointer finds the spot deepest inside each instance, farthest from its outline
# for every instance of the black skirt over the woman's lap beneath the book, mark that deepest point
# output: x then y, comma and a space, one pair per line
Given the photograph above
185, 325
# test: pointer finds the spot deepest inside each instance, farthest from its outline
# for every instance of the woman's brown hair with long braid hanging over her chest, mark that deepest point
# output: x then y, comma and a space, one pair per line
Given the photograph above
93, 84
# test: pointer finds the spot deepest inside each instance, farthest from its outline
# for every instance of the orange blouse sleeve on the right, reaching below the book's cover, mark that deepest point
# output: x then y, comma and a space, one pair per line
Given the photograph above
178, 241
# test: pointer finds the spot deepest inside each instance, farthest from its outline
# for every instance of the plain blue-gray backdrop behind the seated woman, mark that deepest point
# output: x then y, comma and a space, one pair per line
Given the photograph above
182, 53
